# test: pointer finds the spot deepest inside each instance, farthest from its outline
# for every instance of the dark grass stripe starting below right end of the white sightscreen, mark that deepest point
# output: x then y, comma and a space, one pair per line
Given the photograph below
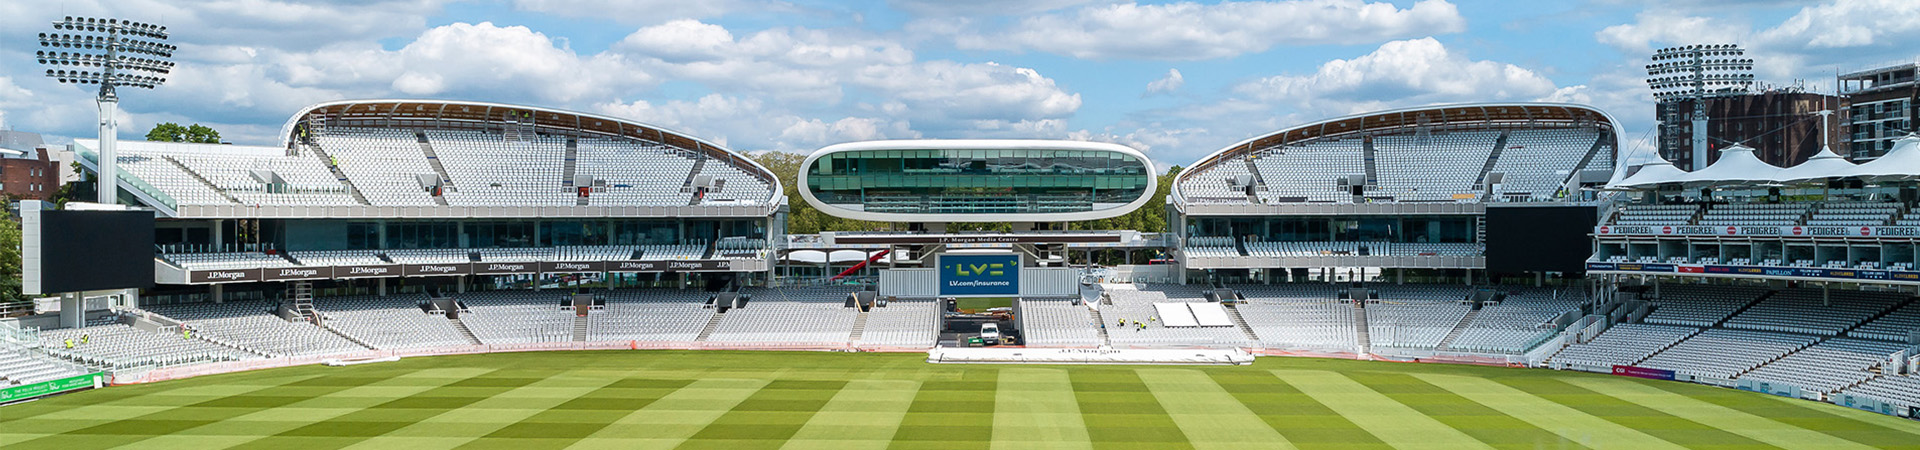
1295, 414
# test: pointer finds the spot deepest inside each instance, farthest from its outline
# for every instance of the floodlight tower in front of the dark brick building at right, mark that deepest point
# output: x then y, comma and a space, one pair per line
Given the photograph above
1696, 74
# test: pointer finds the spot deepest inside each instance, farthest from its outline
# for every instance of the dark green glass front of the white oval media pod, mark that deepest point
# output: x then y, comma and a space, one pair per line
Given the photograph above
978, 182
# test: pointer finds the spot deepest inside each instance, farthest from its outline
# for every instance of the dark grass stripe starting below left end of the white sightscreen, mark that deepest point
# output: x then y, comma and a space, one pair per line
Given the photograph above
951, 412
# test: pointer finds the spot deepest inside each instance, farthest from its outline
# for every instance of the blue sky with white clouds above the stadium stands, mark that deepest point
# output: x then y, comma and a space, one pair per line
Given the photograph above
1176, 80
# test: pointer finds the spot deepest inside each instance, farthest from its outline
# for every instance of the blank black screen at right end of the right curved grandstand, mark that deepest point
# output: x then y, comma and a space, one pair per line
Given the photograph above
1539, 237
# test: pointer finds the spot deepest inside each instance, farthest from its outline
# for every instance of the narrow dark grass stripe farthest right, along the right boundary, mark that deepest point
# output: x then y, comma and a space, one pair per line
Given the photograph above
1873, 430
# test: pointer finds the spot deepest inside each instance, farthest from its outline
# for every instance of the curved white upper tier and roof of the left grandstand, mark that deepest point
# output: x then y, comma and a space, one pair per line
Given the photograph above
487, 161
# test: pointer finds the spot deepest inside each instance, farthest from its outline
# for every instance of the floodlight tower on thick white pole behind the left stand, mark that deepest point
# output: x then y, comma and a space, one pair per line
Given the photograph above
107, 53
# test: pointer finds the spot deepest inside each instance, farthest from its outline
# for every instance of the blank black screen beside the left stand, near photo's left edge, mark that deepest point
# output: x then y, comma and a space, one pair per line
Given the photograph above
97, 251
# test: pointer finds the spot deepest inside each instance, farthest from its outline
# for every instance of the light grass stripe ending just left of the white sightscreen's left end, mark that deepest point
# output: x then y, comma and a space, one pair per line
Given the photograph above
863, 416
